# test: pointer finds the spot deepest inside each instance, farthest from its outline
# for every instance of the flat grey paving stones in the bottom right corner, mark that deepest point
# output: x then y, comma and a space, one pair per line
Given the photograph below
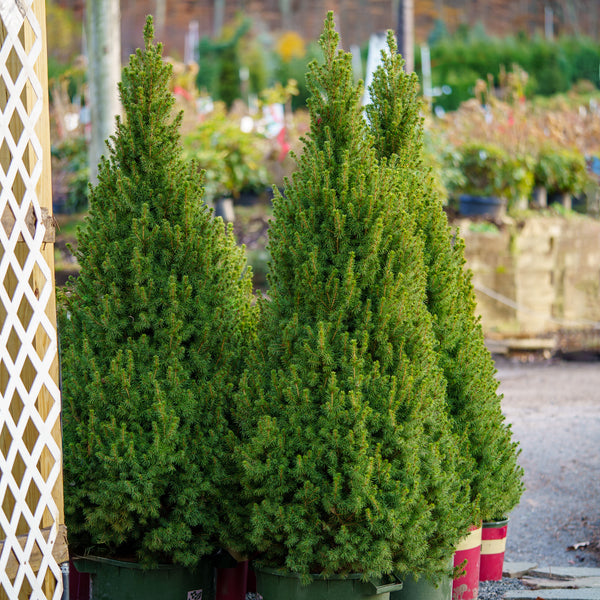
554, 583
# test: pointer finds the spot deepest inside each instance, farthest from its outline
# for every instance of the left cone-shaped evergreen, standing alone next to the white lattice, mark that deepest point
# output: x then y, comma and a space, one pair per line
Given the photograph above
153, 335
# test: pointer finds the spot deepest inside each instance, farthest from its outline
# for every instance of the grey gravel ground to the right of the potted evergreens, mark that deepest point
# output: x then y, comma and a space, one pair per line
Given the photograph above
554, 409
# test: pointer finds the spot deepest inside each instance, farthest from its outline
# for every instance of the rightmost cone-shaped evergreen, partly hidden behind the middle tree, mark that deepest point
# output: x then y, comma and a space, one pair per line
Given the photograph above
397, 128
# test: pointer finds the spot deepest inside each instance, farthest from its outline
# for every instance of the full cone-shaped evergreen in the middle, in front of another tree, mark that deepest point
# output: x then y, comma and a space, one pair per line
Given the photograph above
347, 453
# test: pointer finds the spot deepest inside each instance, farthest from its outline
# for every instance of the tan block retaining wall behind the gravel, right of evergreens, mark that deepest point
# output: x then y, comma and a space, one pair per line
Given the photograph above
536, 276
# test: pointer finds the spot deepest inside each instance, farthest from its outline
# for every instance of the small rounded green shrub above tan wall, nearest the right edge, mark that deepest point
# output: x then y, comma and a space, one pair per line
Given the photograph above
561, 172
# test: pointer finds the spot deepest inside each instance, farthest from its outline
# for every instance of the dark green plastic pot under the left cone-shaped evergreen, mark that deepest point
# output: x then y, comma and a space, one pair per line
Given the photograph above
119, 580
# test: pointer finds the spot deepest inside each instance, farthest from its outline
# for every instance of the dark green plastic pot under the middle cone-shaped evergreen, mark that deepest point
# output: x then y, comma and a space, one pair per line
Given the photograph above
273, 584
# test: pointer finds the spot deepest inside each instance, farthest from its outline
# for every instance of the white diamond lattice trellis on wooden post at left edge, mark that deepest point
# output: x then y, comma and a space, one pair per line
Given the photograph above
30, 453
